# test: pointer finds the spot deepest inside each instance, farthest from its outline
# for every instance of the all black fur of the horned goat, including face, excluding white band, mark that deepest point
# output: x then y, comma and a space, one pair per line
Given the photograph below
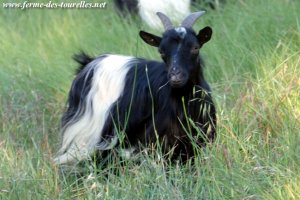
168, 101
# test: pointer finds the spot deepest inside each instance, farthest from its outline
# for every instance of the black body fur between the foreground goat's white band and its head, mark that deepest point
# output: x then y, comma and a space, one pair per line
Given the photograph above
132, 113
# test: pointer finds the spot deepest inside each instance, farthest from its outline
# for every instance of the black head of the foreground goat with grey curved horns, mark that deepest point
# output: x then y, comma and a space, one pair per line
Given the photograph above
179, 47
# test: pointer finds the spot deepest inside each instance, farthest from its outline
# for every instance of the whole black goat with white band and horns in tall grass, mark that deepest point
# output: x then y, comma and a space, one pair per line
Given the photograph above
130, 102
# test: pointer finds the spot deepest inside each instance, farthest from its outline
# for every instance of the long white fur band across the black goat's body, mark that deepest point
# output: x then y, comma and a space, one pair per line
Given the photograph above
81, 136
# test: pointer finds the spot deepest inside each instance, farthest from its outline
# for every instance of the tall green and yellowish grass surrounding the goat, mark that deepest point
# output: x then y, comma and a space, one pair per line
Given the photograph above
253, 66
